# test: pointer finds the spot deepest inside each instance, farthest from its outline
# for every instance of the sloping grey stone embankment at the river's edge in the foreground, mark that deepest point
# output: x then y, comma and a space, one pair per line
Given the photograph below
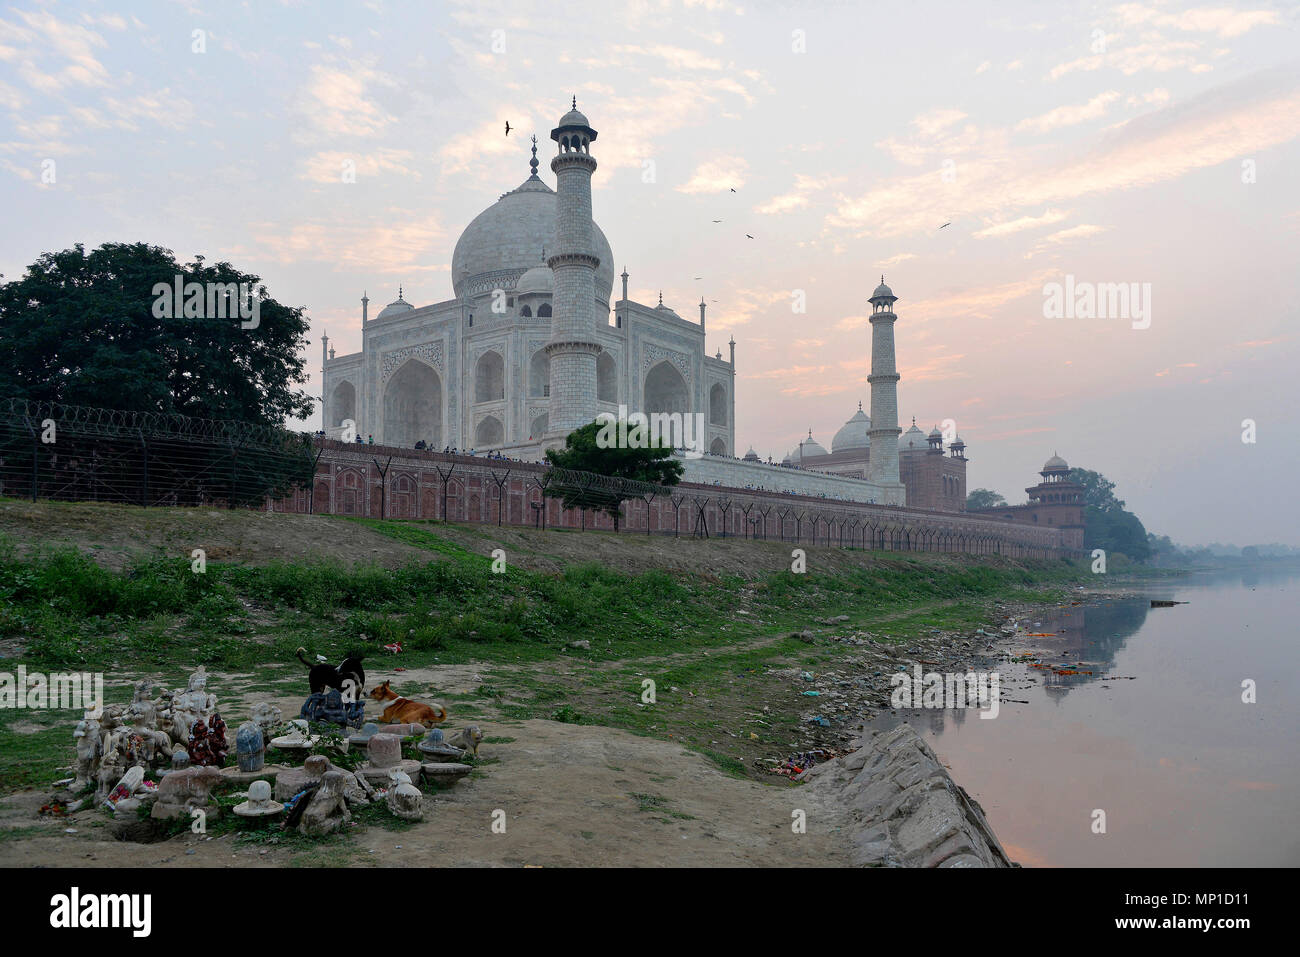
908, 811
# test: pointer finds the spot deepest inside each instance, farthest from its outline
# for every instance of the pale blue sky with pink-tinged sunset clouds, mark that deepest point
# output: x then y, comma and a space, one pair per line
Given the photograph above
1151, 144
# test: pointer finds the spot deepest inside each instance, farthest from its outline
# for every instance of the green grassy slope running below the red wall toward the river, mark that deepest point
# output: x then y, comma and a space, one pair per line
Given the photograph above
710, 642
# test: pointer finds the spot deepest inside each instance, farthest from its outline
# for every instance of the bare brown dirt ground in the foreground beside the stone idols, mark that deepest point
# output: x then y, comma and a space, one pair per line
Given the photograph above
573, 796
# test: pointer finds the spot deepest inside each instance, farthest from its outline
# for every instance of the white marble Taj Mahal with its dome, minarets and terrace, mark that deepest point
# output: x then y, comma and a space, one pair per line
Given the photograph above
534, 345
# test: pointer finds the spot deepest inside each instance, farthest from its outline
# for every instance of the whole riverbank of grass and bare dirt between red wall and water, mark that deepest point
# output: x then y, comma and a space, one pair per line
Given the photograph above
752, 665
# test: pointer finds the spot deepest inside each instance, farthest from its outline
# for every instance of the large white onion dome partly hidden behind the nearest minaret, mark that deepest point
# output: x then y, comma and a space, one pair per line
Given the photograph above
508, 239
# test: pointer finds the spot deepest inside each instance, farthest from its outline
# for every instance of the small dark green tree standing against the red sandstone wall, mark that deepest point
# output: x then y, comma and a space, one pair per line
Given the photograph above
588, 451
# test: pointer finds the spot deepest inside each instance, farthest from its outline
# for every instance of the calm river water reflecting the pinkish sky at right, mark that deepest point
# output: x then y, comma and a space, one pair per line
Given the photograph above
1158, 738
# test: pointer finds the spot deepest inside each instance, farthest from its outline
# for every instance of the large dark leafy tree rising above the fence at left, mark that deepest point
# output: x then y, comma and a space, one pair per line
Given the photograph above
81, 328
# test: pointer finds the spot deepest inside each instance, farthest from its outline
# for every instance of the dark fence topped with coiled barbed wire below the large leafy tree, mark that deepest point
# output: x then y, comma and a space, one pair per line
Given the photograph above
76, 453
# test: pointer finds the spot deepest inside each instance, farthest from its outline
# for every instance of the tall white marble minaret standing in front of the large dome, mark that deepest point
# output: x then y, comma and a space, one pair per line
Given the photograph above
573, 348
